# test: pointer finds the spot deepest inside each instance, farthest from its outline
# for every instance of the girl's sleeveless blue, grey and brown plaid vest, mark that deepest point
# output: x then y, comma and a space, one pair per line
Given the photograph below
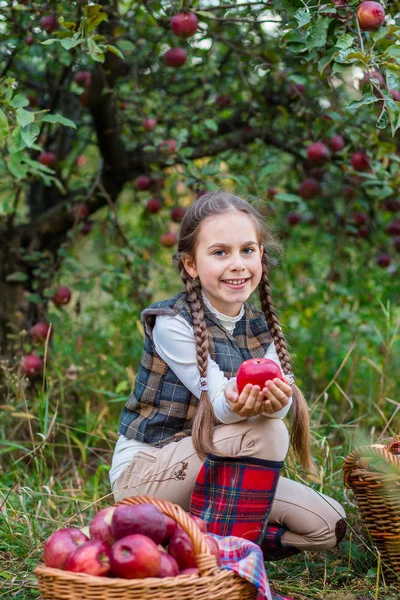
161, 409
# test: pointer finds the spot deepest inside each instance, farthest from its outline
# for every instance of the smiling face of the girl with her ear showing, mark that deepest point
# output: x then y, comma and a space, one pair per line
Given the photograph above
227, 260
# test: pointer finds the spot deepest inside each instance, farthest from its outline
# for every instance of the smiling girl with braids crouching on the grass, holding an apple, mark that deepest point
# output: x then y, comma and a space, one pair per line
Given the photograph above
186, 434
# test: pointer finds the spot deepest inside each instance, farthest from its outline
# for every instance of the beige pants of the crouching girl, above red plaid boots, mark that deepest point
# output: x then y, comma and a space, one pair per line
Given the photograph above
170, 473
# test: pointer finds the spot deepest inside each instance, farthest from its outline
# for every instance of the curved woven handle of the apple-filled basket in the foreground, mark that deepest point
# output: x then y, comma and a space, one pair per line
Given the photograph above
206, 562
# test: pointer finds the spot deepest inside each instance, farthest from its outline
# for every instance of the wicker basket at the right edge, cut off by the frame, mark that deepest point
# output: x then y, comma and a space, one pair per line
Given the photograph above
373, 473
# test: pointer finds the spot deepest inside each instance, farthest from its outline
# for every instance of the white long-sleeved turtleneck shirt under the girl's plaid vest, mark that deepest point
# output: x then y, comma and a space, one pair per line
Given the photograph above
175, 343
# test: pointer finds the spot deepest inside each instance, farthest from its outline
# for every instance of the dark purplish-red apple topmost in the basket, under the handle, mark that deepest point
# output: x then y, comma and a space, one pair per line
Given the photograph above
145, 519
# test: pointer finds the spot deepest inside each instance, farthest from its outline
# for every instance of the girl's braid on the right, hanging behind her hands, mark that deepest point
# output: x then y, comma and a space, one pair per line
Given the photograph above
300, 434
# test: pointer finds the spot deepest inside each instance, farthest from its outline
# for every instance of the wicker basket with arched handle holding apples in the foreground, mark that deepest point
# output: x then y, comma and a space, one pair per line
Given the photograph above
212, 582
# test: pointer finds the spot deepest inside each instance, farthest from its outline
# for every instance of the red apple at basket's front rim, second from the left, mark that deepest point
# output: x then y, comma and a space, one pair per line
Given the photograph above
92, 557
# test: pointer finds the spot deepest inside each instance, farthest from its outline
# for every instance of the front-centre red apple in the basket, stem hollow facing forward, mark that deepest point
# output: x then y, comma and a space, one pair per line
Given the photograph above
135, 556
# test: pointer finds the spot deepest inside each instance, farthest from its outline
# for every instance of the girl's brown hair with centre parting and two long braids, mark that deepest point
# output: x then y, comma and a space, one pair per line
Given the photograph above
206, 206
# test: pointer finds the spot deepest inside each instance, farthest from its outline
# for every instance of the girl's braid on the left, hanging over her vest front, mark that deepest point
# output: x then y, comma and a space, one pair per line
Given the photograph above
204, 419
